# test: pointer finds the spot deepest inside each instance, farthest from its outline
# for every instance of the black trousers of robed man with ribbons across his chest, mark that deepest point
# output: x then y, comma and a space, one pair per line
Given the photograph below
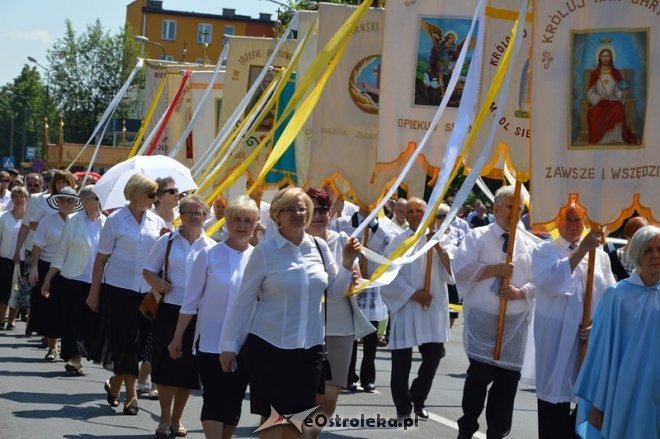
405, 398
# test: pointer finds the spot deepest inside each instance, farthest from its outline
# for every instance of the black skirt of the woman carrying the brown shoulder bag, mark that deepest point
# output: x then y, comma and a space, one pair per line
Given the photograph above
181, 372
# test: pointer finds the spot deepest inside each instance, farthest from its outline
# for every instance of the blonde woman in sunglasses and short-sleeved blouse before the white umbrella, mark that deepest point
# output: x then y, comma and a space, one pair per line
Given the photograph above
126, 239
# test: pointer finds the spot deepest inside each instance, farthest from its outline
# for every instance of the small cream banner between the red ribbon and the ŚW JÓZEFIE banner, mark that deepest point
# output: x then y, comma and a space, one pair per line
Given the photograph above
208, 123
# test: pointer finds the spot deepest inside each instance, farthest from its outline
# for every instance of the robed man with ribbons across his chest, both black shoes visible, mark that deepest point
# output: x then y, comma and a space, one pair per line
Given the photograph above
419, 317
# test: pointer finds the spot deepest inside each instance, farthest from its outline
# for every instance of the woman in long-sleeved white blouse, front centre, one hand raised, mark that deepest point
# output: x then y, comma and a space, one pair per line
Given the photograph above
279, 308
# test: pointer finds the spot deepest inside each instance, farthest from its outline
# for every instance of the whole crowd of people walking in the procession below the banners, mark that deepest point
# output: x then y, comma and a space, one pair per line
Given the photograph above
263, 303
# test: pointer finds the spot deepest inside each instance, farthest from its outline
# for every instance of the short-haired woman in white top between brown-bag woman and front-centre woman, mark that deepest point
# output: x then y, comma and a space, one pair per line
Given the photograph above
218, 271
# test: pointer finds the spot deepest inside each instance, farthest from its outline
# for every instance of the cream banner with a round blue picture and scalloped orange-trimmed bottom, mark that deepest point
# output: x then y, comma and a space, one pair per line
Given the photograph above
345, 121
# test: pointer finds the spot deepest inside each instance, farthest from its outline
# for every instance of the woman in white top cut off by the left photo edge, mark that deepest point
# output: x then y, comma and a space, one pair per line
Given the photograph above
10, 223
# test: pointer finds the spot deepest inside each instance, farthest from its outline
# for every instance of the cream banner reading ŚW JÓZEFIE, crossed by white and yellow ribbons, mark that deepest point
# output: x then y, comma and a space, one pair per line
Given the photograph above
247, 57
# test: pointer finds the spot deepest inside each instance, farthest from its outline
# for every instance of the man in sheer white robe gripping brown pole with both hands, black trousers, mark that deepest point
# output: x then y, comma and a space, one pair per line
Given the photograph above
479, 267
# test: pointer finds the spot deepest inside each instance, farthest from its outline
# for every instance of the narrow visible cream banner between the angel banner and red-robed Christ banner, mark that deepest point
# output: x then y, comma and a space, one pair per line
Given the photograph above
514, 132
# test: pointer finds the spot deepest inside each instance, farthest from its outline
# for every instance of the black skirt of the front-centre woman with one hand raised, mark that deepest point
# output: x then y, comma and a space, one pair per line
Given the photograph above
286, 379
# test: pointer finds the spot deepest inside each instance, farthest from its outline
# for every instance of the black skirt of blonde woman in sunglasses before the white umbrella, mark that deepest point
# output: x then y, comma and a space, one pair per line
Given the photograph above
120, 330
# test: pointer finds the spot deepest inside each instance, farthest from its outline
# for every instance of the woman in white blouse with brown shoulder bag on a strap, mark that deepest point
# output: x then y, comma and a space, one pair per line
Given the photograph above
175, 378
